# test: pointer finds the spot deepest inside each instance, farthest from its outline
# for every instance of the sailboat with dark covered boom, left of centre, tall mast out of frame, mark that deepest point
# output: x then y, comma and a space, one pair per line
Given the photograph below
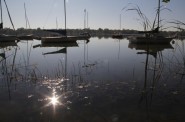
64, 38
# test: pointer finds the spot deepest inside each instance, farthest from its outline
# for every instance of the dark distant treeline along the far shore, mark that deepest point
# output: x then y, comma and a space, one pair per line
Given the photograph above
75, 32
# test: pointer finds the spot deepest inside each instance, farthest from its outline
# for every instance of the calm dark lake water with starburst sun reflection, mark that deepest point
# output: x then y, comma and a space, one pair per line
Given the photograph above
104, 80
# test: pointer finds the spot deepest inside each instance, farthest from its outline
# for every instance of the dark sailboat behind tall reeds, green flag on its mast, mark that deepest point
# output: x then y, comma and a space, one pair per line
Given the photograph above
153, 36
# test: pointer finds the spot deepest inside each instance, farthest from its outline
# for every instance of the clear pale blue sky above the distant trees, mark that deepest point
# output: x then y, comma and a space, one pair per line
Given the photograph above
101, 13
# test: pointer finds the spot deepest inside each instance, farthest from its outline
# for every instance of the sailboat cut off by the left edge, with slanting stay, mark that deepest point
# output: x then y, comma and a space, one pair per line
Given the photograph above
4, 37
